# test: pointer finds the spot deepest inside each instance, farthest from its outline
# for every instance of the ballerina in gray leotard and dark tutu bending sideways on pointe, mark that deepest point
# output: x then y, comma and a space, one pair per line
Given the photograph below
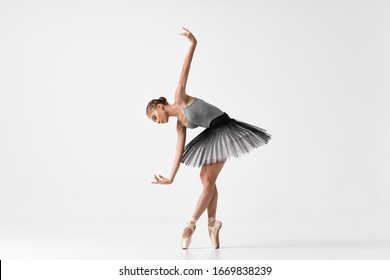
223, 137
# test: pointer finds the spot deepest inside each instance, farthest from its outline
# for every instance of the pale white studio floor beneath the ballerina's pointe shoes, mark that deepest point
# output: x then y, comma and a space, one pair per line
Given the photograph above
148, 242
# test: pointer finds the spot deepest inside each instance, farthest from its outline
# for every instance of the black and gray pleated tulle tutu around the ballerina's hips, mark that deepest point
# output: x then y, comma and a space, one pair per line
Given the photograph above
224, 138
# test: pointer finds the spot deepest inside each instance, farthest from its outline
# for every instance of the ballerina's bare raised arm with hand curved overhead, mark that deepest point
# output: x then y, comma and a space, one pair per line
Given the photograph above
181, 87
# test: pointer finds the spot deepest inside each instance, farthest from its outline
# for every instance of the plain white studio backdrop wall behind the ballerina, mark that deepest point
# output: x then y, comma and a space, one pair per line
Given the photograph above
76, 147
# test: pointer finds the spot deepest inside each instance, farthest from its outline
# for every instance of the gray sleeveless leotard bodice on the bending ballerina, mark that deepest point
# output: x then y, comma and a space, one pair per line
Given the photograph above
200, 113
